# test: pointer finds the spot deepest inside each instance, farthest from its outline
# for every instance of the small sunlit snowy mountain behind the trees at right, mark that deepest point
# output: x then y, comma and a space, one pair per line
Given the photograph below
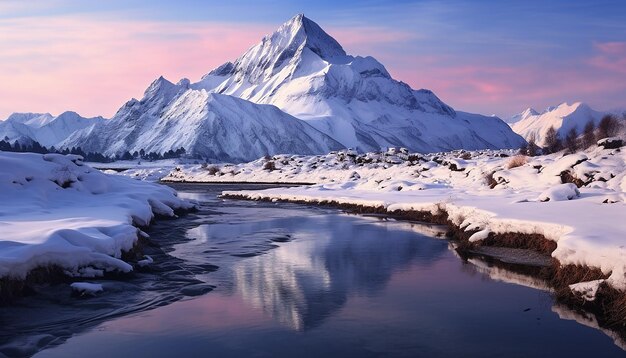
562, 117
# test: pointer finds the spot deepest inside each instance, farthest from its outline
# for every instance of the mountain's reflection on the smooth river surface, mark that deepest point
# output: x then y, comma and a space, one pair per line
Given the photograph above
303, 282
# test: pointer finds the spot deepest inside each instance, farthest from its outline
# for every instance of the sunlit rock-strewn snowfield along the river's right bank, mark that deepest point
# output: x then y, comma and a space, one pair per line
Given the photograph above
483, 192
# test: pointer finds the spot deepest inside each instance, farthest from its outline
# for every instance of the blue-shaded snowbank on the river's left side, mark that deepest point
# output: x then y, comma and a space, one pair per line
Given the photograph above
59, 212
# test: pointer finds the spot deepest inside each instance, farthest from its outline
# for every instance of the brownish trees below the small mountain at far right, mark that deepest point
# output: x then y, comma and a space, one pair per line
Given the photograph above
609, 126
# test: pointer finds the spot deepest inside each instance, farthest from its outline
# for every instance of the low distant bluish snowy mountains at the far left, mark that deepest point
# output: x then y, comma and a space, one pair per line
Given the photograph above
43, 128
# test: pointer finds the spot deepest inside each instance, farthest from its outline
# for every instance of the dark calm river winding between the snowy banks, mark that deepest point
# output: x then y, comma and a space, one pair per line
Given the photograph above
251, 279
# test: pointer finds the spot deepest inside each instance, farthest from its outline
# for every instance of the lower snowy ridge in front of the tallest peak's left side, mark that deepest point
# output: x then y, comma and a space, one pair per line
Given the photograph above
226, 128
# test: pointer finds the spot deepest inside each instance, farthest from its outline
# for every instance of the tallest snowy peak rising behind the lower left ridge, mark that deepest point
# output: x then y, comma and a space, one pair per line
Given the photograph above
306, 73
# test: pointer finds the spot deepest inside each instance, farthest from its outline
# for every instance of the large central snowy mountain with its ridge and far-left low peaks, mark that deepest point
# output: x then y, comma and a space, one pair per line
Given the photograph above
297, 91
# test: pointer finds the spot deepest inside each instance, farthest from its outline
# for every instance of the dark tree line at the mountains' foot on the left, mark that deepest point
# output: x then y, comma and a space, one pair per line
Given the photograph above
36, 147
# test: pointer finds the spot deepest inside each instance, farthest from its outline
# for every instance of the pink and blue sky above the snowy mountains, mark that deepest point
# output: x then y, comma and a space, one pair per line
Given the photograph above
483, 56
